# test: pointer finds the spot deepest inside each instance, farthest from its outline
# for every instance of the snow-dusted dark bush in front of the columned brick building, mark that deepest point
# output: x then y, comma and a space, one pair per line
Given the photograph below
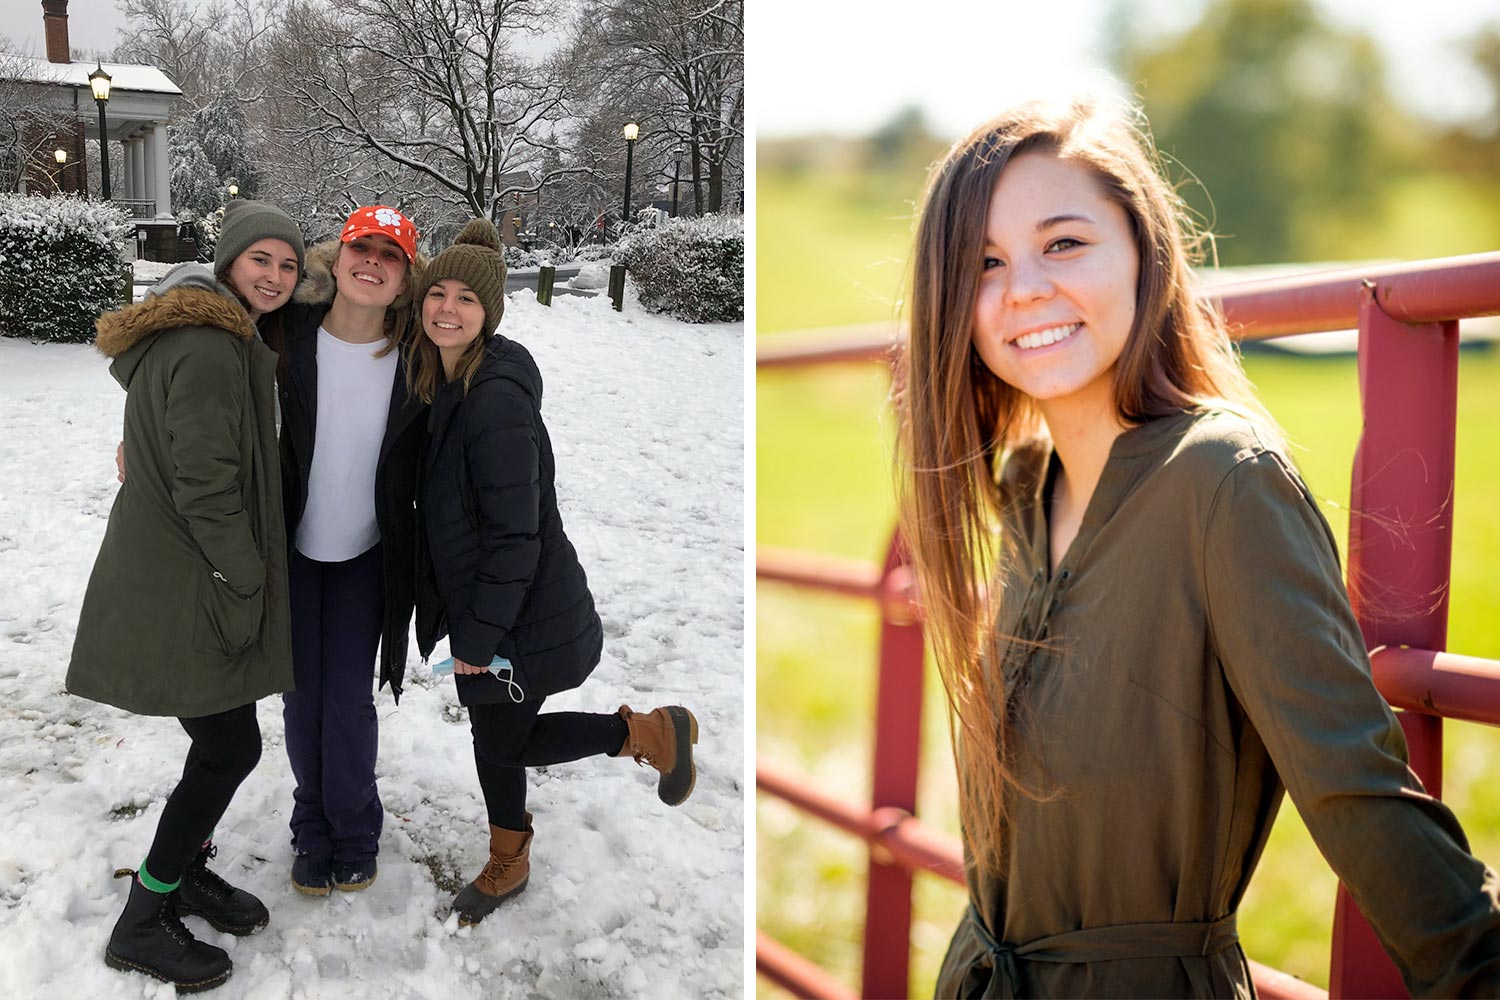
62, 265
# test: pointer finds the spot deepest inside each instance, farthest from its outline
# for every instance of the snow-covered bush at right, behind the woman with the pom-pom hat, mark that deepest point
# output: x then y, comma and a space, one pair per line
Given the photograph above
691, 269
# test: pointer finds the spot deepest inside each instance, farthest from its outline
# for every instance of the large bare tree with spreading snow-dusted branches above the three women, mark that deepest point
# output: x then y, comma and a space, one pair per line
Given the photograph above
439, 89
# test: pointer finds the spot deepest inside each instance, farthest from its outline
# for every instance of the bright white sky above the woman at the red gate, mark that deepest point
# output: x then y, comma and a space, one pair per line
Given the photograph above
845, 68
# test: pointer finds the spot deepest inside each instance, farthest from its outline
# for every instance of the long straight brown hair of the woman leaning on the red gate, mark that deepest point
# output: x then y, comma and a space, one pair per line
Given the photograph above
959, 422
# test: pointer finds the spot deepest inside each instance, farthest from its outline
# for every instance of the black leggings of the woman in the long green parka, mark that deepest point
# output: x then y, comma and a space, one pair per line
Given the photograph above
224, 752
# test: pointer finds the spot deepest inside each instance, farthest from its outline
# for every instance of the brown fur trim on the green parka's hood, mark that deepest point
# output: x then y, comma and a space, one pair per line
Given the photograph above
187, 298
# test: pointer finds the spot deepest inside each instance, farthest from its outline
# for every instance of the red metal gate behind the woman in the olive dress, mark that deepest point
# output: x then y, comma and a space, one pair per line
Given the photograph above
1408, 319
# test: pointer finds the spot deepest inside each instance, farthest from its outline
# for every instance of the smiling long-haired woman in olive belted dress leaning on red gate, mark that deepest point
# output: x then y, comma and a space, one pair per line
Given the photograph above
1135, 602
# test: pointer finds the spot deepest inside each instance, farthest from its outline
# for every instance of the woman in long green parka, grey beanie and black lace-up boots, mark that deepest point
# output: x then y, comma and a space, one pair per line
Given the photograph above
187, 608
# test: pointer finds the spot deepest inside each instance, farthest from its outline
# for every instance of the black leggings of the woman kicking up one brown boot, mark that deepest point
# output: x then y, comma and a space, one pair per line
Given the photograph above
511, 738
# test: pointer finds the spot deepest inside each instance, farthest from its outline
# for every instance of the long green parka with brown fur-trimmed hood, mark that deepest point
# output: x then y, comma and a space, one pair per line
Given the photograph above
187, 608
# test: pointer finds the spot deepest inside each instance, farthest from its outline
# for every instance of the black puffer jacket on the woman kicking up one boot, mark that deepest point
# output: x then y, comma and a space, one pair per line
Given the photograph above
496, 570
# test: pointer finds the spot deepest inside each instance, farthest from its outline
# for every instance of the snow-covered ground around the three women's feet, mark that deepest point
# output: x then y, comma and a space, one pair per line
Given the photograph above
628, 897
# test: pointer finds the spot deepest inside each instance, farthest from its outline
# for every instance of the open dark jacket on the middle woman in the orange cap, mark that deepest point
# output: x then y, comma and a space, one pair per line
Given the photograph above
395, 472
